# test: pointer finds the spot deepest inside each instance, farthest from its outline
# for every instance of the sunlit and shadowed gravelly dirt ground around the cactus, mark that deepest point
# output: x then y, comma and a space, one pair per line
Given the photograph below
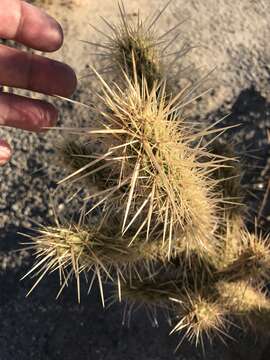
230, 36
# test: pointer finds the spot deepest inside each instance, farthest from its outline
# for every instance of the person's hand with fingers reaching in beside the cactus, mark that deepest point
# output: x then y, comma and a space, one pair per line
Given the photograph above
32, 27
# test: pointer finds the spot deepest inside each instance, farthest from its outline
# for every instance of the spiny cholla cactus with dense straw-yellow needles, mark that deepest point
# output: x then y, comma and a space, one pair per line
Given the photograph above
171, 233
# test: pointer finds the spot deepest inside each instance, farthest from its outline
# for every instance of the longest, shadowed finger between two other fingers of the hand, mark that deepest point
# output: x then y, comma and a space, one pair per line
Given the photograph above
33, 72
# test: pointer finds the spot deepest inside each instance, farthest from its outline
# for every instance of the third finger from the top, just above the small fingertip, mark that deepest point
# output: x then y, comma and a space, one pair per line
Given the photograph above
27, 114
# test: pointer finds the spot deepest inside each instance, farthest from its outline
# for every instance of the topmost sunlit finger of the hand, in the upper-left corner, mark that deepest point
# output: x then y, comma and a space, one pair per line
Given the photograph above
29, 25
